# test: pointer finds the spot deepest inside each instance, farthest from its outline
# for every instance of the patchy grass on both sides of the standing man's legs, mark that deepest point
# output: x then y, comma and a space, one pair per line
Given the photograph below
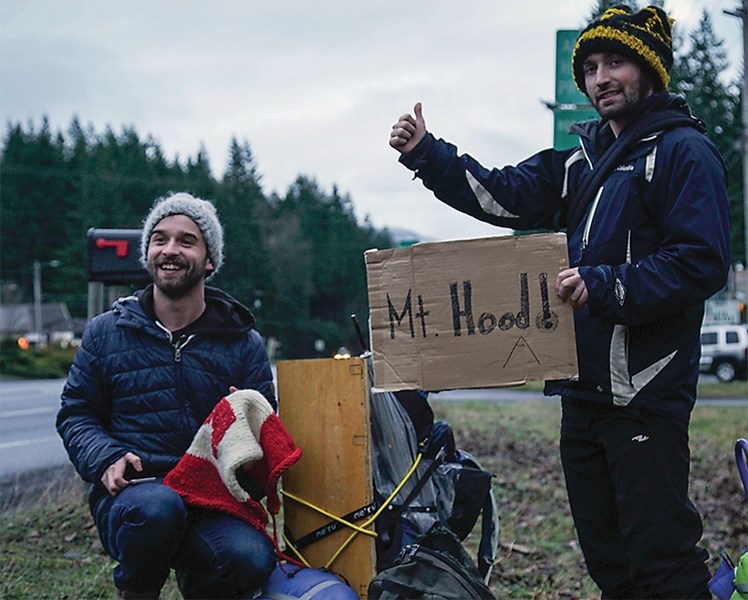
539, 555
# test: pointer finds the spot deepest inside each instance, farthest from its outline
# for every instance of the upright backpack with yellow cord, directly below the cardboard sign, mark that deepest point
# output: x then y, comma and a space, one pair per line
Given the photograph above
422, 477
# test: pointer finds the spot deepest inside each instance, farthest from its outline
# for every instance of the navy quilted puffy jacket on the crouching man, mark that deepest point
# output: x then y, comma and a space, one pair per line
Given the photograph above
132, 388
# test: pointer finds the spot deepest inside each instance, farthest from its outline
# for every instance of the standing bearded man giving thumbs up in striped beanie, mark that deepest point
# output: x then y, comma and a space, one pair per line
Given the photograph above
643, 200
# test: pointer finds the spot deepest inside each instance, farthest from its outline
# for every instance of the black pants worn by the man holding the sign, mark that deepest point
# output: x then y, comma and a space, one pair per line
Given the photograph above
627, 478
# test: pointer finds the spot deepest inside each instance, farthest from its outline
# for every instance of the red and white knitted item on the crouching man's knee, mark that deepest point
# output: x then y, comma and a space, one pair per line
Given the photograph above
242, 432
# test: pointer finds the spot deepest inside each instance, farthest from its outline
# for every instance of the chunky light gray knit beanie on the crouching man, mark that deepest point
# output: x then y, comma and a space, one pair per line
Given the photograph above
201, 211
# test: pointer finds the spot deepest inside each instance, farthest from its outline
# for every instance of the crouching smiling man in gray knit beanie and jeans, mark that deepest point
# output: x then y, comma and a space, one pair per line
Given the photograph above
146, 376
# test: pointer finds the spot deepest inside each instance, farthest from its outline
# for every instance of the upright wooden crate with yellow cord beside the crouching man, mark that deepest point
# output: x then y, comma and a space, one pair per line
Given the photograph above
324, 404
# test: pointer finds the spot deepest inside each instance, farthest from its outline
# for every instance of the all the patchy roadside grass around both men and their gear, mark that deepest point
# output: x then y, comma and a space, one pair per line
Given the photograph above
49, 546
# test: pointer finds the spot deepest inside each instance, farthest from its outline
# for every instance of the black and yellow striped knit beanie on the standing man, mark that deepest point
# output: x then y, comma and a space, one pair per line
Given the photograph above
645, 37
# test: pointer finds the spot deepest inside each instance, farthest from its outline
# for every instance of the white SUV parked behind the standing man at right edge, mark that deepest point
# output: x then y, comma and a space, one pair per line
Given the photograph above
724, 351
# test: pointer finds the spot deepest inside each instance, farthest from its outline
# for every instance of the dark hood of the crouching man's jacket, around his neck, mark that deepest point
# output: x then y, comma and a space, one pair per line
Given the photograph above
224, 315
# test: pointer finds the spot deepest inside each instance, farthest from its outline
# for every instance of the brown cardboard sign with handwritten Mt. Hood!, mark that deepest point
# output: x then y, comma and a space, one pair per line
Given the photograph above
470, 313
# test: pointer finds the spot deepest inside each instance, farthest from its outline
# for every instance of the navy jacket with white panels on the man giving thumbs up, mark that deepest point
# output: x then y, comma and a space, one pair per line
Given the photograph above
652, 246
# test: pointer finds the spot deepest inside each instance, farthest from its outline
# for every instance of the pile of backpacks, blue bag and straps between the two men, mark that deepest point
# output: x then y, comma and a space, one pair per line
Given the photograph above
428, 497
